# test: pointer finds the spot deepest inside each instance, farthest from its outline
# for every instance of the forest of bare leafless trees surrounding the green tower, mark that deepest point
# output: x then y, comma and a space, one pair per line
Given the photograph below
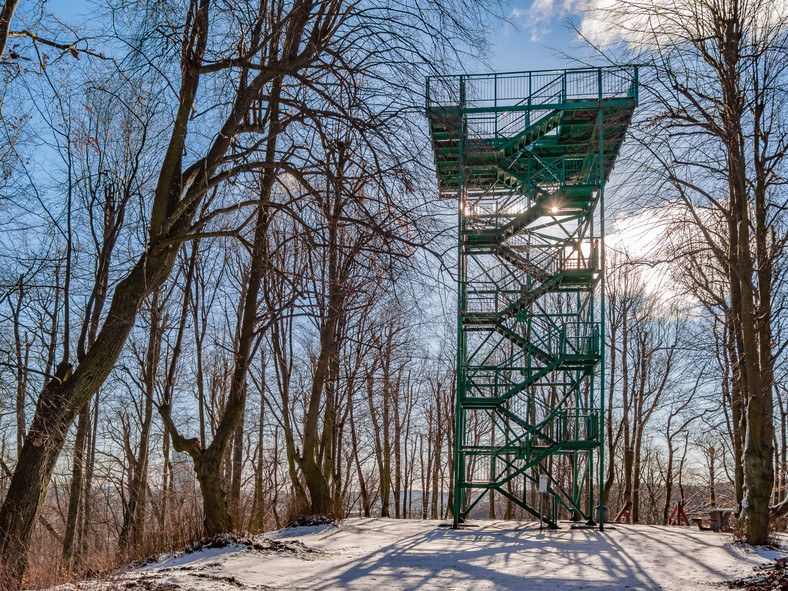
226, 293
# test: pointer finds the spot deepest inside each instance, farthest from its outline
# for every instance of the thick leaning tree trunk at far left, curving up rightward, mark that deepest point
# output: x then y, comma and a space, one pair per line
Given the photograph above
63, 397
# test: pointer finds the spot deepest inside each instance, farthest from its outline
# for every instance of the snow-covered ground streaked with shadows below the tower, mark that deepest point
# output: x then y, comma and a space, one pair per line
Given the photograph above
383, 554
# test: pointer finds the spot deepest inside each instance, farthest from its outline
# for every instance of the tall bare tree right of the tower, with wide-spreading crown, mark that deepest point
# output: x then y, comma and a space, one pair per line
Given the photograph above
716, 82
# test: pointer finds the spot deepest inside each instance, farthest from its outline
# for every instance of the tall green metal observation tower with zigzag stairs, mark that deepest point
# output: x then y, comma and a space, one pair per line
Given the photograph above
526, 155
